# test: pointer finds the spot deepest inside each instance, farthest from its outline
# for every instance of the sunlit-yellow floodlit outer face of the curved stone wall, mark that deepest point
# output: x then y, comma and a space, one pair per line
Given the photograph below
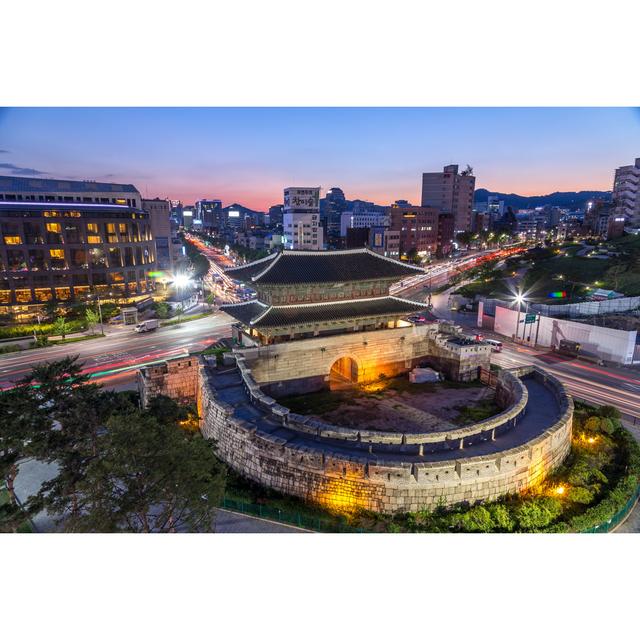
353, 481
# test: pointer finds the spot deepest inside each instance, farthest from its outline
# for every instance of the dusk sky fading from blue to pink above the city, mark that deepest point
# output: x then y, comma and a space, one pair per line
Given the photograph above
248, 155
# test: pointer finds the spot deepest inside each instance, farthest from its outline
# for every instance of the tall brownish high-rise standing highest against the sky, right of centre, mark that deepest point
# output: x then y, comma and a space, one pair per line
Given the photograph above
452, 192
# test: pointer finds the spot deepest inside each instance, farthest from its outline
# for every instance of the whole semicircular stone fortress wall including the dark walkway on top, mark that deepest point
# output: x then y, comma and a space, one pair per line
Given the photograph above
263, 441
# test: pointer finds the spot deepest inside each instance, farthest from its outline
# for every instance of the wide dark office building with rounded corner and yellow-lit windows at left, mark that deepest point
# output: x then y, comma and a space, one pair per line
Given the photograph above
61, 248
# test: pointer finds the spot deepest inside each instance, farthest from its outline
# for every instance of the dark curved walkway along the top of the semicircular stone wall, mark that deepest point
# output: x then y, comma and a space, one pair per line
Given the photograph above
541, 413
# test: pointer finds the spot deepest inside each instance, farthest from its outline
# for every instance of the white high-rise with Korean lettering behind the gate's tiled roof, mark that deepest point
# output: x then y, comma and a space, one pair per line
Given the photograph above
301, 219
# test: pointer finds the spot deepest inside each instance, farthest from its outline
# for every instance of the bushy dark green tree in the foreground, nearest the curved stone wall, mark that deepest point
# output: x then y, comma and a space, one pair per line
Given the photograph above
151, 476
